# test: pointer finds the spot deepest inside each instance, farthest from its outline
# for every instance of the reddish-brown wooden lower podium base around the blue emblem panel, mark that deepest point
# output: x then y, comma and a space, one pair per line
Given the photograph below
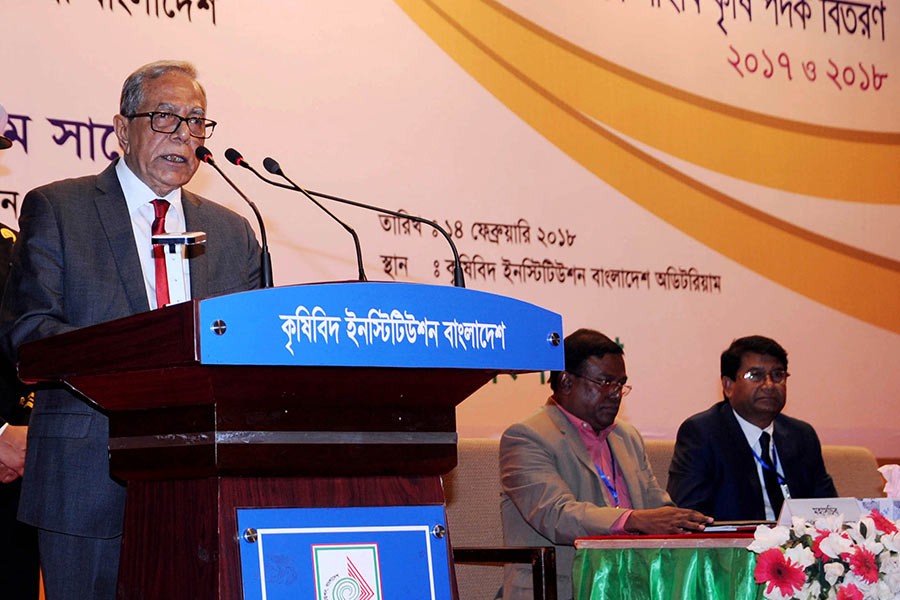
165, 555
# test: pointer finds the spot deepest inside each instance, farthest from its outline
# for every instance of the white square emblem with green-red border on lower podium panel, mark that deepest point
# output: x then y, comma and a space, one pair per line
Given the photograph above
347, 572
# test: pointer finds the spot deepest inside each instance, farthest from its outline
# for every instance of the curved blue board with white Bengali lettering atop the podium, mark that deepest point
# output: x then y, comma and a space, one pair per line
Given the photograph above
368, 324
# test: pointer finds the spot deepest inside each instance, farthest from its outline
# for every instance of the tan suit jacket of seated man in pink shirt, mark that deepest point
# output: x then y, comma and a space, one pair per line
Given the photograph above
552, 493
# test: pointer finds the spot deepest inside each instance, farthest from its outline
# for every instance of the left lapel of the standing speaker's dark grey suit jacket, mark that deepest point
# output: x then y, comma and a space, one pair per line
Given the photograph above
112, 212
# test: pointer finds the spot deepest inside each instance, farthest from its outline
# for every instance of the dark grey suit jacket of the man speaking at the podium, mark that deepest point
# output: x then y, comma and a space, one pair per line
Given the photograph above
76, 264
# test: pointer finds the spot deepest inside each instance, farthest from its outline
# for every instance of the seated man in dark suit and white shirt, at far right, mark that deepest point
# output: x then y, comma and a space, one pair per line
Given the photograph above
741, 458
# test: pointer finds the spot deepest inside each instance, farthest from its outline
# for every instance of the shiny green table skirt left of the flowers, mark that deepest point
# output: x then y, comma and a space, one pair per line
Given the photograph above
665, 574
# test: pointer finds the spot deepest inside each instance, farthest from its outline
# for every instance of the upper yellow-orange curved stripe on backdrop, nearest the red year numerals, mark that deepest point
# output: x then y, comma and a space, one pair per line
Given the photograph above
808, 159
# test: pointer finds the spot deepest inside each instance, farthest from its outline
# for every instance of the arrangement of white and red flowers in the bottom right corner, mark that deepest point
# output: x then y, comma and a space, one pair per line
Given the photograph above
829, 559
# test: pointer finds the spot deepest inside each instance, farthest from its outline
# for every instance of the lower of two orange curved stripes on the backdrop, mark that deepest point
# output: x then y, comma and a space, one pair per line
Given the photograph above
853, 281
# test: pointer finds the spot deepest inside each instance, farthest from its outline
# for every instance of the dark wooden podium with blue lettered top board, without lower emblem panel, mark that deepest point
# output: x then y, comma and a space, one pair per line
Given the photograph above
309, 396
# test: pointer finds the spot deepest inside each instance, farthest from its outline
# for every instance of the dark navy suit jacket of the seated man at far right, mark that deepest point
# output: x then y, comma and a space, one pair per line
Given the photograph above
713, 469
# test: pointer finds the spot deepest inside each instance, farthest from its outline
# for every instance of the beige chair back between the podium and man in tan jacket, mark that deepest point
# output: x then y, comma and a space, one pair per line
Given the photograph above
473, 513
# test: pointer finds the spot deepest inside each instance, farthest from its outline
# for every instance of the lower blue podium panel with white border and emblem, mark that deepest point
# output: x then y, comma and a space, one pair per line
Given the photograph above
358, 553
